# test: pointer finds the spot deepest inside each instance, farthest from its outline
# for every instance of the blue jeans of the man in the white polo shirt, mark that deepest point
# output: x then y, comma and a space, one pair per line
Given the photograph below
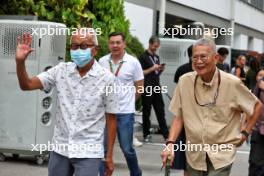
125, 129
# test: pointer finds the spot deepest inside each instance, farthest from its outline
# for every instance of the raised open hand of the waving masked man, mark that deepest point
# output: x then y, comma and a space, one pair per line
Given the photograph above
23, 48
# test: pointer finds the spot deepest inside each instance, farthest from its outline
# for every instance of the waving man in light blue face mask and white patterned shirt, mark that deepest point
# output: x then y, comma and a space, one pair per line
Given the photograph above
83, 107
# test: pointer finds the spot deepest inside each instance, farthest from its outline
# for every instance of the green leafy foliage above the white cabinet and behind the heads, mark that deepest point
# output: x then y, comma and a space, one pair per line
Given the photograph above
105, 14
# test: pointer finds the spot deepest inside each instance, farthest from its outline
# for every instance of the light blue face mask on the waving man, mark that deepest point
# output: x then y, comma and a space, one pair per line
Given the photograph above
81, 57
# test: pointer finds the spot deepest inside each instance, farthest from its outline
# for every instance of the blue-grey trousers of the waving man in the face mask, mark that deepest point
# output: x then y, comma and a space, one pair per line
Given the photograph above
61, 165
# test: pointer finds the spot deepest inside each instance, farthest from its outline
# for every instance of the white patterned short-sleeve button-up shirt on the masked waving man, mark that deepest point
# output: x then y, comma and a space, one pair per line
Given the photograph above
81, 107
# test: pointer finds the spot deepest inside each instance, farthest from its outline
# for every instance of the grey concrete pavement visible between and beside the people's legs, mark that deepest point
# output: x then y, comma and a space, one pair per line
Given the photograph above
148, 156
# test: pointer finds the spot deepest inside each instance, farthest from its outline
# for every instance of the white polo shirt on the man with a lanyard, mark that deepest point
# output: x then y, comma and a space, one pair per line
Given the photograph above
130, 72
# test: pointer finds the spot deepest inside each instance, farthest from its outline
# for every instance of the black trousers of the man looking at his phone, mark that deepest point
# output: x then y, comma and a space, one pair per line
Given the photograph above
155, 100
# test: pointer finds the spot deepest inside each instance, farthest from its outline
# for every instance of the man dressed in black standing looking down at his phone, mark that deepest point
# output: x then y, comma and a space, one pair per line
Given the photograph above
152, 68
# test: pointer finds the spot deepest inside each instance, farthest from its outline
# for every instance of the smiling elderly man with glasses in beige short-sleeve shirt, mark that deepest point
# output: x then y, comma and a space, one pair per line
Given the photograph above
208, 102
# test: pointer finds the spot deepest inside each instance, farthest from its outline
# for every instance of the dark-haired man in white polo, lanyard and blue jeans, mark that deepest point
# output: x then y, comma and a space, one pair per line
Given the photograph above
129, 77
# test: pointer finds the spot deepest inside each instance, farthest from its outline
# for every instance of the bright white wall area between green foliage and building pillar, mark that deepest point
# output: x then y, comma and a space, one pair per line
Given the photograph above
141, 21
